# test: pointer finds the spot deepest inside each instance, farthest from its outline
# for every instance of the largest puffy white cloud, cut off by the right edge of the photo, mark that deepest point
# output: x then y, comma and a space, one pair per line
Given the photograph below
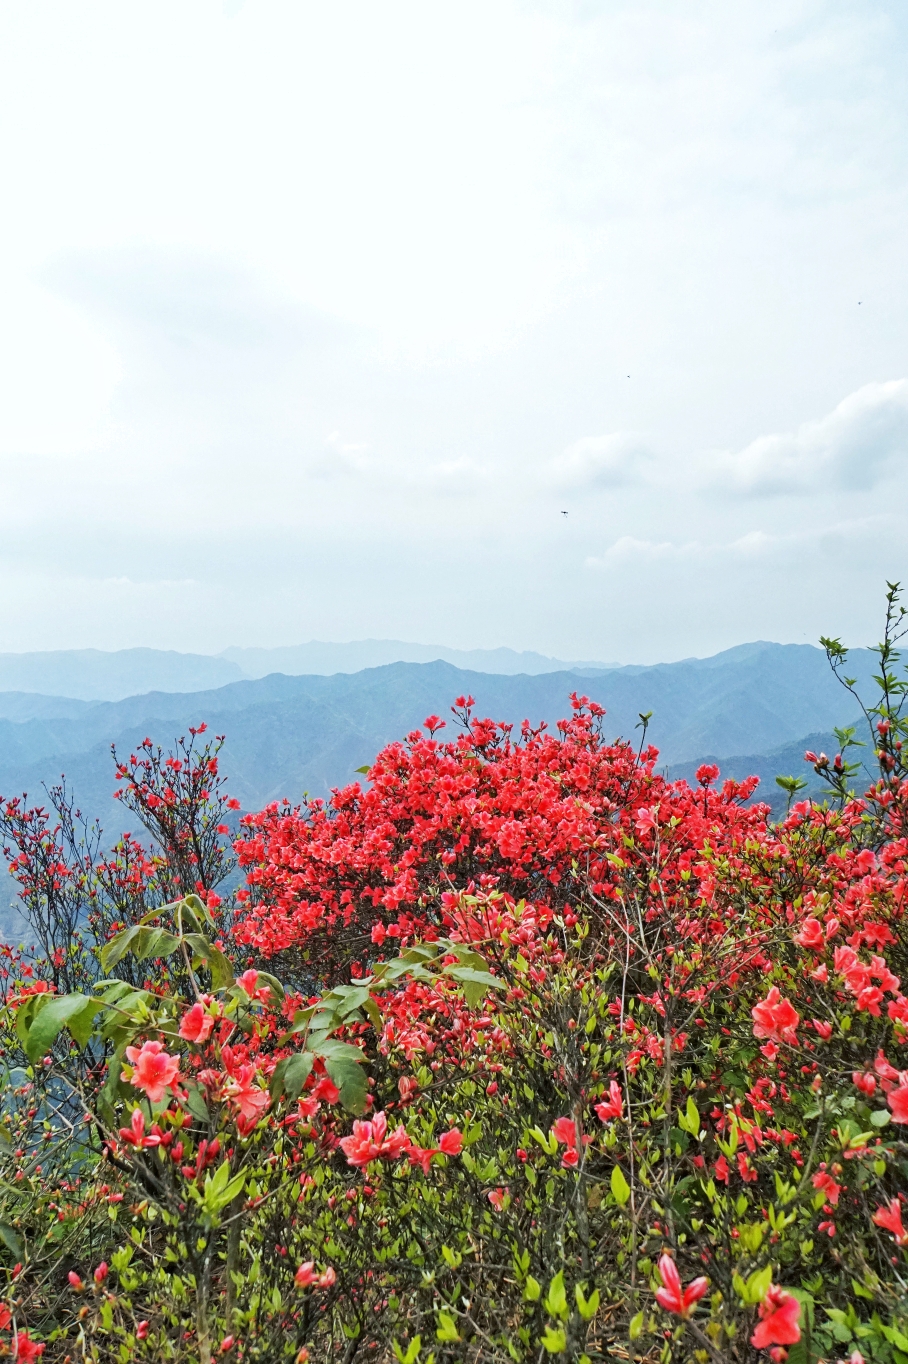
856, 447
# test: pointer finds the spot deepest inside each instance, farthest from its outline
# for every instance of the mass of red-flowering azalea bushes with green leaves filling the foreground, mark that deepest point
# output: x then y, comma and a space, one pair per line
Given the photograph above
517, 1051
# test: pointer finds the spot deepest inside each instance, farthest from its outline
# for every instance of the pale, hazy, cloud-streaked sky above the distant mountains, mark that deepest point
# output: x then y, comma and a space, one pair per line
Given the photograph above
317, 320
